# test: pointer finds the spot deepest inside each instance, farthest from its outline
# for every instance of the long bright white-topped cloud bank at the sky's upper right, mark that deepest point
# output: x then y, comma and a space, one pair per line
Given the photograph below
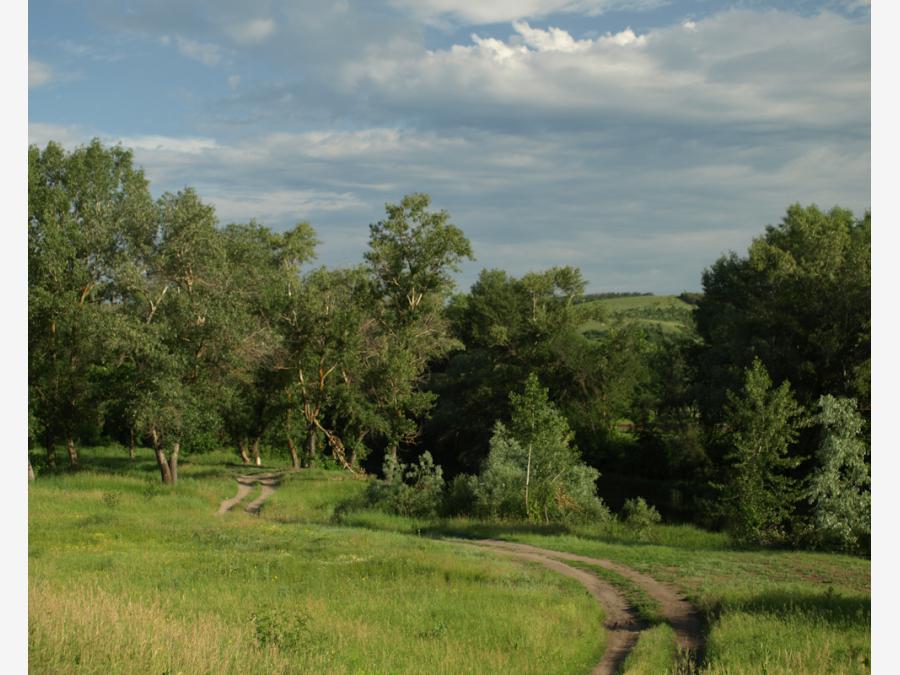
725, 69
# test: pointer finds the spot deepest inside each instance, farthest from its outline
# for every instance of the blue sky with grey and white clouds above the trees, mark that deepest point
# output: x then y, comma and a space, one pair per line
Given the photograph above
637, 140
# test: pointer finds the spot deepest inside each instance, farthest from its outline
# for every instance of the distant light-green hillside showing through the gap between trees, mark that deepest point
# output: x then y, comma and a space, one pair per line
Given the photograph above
667, 313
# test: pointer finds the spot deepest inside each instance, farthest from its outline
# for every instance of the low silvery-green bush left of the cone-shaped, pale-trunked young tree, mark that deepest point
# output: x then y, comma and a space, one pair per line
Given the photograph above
408, 489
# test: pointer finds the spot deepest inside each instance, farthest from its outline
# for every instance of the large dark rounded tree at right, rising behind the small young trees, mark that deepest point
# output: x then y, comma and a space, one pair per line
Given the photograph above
800, 301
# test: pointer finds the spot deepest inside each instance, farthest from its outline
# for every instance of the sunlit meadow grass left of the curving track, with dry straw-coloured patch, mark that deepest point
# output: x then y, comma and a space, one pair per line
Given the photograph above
126, 576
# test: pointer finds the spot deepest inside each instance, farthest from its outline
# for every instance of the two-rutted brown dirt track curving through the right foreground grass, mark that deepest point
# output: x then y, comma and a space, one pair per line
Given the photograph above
623, 628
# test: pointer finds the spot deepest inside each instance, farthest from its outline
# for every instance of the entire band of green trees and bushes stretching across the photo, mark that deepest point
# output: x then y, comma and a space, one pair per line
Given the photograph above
148, 323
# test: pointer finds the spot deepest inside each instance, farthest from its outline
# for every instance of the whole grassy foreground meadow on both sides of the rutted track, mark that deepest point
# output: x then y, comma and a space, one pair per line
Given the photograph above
128, 576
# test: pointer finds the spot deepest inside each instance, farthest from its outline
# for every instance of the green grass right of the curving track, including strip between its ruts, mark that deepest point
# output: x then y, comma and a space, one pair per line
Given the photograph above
765, 611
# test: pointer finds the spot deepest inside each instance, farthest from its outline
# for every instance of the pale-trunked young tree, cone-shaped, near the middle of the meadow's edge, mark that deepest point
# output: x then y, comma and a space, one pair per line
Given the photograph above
532, 469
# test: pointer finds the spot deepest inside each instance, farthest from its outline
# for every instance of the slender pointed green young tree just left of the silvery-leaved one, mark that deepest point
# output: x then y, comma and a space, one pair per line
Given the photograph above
761, 423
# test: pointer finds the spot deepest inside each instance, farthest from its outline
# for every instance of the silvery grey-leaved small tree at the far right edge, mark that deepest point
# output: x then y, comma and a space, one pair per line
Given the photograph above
838, 488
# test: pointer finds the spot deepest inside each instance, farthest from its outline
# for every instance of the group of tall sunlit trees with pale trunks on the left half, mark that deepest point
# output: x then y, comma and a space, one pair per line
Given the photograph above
149, 324
